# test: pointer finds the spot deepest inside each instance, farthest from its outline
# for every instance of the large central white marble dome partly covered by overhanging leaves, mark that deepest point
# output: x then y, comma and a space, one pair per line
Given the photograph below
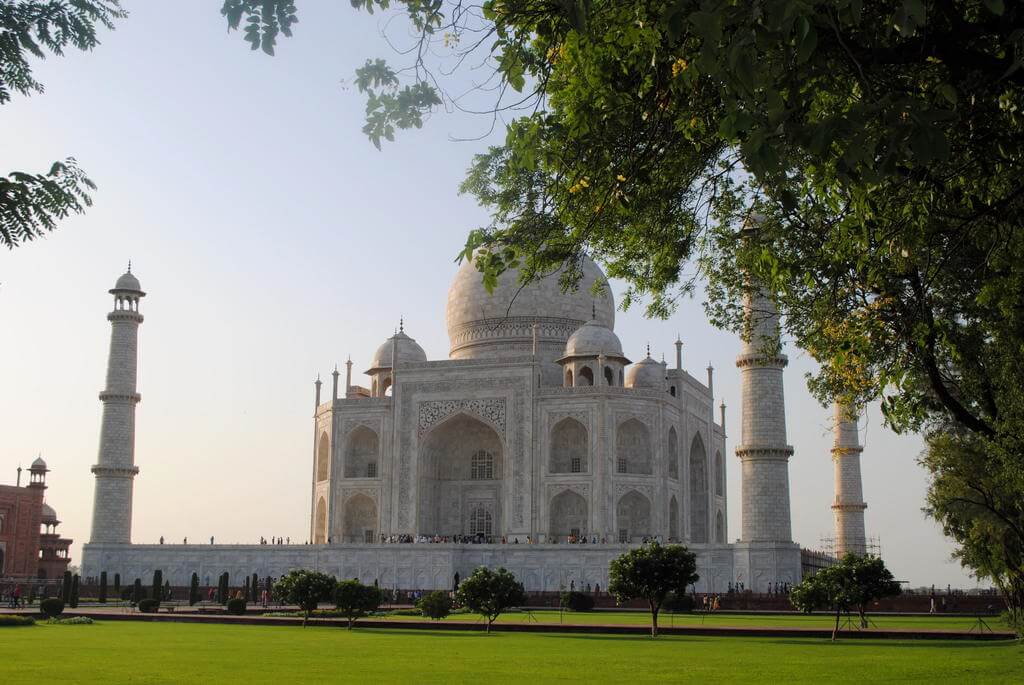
499, 325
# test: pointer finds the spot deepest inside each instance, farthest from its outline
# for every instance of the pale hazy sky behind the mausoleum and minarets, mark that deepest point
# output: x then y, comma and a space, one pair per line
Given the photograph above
274, 240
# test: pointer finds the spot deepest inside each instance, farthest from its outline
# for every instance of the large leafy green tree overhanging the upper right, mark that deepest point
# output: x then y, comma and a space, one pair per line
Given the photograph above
880, 143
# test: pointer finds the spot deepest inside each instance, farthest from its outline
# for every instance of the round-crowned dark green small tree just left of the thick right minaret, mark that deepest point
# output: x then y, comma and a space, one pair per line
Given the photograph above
653, 573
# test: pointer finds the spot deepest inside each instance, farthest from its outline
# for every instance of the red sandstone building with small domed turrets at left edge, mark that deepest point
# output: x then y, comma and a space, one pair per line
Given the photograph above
30, 545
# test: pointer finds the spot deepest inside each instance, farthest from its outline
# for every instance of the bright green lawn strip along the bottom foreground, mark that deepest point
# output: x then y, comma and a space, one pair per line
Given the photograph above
184, 653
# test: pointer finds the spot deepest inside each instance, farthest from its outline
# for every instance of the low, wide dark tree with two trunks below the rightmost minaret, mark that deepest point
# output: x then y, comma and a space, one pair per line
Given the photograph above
852, 584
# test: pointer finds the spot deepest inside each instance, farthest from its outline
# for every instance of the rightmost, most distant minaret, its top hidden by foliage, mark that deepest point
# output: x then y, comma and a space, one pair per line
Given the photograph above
849, 507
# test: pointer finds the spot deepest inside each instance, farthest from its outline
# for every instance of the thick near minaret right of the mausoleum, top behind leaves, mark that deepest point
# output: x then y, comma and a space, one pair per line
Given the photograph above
763, 448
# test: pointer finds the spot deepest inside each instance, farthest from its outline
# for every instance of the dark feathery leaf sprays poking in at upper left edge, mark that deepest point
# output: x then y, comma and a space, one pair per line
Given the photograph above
32, 204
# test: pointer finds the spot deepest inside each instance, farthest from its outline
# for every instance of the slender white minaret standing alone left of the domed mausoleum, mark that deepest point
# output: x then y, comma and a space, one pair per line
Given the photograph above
115, 467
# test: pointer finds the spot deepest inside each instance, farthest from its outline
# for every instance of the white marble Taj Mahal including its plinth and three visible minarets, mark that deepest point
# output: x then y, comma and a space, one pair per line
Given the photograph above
537, 445
